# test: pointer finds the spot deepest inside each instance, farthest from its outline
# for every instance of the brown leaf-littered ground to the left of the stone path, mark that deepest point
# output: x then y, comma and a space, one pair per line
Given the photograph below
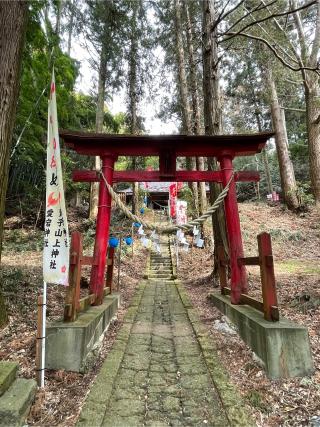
21, 275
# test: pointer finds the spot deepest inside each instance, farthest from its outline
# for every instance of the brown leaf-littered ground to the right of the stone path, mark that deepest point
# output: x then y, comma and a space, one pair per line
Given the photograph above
296, 242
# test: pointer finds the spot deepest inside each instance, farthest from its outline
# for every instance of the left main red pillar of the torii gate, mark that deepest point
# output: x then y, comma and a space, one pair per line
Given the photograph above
102, 231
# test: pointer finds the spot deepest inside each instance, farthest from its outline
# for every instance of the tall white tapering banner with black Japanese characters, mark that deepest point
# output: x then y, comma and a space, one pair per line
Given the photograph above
56, 239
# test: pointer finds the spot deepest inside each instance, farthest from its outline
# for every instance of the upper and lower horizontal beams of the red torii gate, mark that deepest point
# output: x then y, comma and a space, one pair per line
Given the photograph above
168, 148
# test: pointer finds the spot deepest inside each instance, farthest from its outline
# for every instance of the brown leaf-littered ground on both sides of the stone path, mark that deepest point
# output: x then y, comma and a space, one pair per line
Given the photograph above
296, 239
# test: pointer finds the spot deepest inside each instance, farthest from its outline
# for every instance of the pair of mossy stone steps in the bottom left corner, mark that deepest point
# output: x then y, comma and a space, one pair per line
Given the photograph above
16, 395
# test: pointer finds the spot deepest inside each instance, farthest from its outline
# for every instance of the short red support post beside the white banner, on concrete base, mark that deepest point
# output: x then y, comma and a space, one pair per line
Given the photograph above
73, 290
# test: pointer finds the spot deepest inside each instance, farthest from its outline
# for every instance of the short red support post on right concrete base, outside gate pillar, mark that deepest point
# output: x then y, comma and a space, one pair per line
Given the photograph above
269, 294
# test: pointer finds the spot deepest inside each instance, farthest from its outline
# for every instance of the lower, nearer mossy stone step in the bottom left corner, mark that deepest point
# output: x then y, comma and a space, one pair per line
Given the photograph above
15, 403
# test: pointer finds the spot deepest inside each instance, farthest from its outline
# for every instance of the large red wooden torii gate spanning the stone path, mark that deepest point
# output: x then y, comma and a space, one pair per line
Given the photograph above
168, 148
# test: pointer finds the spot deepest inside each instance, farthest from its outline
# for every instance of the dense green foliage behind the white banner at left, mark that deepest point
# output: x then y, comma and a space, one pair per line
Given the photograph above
76, 111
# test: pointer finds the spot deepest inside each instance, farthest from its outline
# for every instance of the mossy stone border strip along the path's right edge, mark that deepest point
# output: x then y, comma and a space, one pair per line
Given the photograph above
229, 394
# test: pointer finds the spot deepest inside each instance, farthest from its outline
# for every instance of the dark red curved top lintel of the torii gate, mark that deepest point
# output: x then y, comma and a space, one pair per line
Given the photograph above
99, 144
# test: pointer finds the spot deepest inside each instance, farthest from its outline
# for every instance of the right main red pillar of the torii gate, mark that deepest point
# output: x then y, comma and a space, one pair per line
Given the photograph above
238, 272
